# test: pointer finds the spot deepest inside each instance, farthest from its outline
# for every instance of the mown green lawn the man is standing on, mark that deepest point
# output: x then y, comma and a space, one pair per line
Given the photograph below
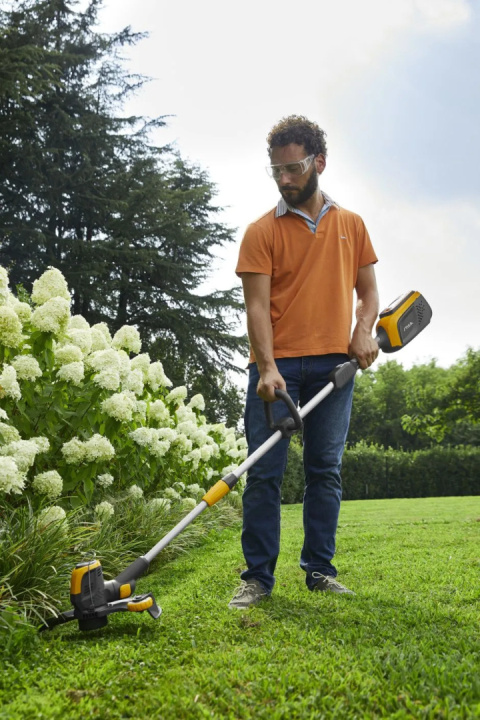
406, 646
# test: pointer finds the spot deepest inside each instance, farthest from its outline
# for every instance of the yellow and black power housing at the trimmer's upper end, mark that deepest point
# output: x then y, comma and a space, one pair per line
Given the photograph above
402, 321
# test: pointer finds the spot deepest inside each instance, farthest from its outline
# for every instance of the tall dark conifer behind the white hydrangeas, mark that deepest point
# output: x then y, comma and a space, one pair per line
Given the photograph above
132, 226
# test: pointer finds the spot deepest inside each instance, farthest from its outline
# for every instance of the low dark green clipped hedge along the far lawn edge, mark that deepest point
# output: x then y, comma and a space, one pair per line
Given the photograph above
371, 472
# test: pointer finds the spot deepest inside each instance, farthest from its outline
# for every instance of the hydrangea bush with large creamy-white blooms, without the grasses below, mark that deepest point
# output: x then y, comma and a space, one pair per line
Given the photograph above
86, 417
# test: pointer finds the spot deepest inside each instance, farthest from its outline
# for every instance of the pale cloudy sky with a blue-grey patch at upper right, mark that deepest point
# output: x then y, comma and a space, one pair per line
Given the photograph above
395, 86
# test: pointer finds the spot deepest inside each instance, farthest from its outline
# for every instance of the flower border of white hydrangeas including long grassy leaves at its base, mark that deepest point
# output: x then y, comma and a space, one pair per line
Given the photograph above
95, 446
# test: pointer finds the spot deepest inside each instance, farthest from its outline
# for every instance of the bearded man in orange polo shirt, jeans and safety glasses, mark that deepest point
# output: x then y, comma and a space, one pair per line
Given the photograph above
299, 264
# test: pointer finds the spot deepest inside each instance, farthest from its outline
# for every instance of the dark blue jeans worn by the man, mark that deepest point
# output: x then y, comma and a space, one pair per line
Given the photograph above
324, 436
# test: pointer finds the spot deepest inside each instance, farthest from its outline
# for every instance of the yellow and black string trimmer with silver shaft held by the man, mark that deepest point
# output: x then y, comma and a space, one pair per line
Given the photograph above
94, 599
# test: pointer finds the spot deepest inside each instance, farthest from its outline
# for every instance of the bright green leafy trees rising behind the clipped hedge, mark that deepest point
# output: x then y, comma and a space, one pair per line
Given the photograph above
416, 408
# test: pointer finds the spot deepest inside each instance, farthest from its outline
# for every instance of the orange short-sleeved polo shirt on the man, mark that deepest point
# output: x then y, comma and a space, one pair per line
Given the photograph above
313, 277
